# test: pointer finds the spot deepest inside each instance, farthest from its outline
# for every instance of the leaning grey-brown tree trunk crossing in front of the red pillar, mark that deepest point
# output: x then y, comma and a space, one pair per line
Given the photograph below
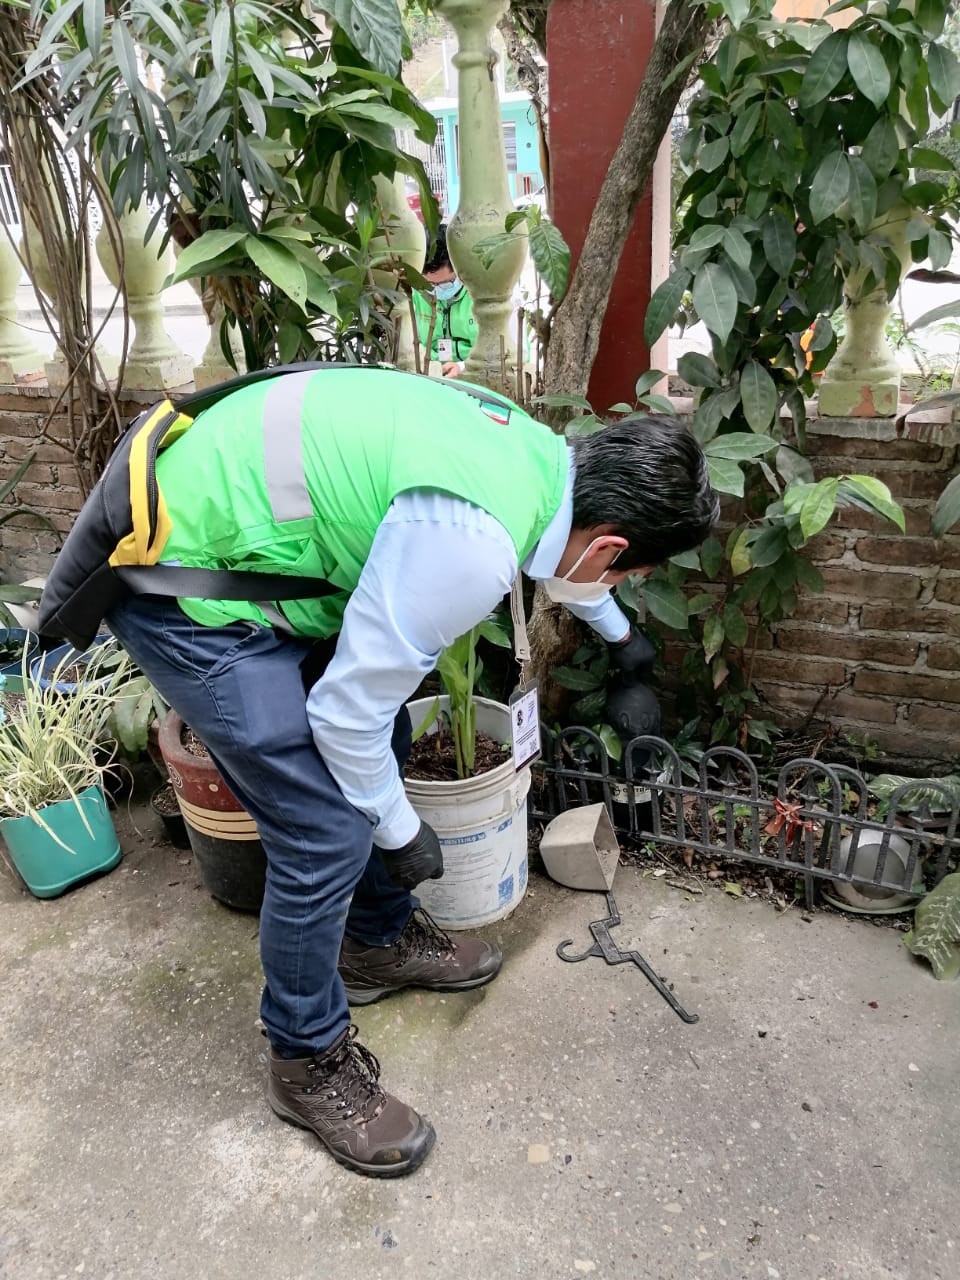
575, 335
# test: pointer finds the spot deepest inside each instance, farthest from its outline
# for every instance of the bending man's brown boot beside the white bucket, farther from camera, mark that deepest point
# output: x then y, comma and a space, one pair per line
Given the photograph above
422, 957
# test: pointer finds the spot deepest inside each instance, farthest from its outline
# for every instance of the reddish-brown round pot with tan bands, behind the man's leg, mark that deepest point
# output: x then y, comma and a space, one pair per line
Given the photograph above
222, 834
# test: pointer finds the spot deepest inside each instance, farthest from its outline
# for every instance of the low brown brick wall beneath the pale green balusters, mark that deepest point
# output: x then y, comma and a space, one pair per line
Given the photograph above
877, 655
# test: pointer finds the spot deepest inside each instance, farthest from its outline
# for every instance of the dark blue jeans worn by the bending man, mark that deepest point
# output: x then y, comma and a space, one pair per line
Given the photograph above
240, 689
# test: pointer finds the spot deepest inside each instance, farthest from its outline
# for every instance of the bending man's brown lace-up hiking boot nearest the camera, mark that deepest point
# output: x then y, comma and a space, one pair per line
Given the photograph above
339, 1096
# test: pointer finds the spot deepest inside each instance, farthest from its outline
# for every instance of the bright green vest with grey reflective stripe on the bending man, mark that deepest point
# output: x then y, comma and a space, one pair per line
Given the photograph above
295, 476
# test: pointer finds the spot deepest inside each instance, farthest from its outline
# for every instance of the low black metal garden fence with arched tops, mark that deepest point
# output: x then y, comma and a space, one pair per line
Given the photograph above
816, 821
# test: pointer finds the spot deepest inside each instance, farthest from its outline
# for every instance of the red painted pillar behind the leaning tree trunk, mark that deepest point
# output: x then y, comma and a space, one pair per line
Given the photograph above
598, 51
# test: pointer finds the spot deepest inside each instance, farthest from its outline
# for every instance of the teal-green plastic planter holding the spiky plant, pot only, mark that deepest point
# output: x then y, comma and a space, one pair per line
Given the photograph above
47, 868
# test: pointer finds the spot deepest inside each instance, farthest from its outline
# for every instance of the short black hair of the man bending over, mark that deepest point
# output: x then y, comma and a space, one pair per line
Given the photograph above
648, 478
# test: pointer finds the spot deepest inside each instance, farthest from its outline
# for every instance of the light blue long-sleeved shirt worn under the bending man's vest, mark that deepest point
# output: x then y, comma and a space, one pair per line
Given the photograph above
437, 568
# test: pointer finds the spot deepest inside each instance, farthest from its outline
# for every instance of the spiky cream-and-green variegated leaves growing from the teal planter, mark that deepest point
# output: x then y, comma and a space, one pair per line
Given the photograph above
49, 740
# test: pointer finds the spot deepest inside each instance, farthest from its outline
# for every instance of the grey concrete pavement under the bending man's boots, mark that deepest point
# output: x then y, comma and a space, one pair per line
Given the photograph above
794, 1133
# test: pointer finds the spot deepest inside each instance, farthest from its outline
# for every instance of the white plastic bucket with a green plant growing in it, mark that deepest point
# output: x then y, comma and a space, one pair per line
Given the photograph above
464, 783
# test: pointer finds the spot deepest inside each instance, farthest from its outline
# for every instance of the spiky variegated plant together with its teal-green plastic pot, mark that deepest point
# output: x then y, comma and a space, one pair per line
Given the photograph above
53, 812
